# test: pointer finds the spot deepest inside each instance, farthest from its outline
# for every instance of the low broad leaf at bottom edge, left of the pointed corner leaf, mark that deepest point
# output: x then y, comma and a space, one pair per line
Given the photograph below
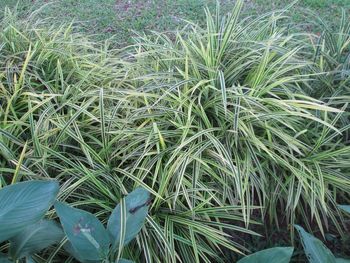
271, 255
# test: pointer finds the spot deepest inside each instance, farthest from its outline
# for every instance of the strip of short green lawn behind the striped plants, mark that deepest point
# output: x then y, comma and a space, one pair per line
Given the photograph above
119, 18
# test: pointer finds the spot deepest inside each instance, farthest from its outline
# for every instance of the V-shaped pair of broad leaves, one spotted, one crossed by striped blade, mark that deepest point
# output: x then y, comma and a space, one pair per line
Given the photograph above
89, 241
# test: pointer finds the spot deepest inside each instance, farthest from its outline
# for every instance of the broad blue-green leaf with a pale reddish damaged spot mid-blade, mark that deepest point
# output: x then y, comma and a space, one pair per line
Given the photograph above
88, 237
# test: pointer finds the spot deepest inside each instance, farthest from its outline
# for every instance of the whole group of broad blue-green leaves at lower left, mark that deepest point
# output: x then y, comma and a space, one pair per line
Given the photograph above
87, 239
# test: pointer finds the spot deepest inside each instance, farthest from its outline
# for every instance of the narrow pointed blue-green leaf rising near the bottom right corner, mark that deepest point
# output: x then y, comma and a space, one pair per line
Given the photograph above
315, 250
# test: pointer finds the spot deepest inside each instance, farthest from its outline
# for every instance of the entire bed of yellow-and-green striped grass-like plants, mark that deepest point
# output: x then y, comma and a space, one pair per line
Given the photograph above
238, 127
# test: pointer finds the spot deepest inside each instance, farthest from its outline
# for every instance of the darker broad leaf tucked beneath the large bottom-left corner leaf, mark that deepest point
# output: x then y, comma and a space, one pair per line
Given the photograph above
35, 238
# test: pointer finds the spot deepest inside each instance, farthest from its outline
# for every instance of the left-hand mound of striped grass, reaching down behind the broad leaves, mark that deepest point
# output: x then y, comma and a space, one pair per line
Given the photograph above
86, 137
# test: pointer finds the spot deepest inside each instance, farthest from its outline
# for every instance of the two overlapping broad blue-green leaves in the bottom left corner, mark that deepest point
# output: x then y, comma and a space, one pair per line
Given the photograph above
22, 207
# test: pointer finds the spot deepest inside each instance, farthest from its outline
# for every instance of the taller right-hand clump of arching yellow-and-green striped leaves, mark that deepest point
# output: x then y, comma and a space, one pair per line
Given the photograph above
229, 101
